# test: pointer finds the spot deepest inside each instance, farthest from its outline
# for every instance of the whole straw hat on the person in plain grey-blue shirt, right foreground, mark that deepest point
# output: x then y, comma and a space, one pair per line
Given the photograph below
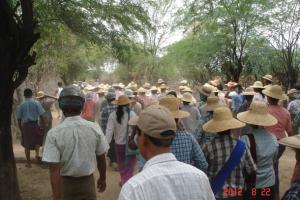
257, 115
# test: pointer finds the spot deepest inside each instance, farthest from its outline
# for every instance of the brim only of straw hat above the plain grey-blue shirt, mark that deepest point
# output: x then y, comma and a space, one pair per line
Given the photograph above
257, 119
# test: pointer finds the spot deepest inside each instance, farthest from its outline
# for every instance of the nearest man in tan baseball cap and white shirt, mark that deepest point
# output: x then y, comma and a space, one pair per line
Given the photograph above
163, 177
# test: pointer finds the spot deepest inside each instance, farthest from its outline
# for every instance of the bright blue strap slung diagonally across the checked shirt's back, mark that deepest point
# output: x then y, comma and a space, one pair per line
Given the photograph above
229, 166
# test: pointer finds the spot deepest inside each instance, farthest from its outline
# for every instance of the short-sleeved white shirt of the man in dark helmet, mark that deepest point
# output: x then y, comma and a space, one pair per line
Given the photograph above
75, 143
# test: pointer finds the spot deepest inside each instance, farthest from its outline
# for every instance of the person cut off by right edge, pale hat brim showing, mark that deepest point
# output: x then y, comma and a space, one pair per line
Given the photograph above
294, 143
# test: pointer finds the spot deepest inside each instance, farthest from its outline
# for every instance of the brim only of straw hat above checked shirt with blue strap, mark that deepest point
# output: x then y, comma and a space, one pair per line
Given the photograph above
214, 126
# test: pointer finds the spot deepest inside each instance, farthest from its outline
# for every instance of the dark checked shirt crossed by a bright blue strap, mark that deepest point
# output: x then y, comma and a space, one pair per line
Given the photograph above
217, 152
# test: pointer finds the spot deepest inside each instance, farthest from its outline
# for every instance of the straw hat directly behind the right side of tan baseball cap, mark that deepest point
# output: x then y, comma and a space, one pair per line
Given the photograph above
172, 103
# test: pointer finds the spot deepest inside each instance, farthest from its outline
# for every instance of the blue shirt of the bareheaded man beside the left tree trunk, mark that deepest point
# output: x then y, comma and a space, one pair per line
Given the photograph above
30, 111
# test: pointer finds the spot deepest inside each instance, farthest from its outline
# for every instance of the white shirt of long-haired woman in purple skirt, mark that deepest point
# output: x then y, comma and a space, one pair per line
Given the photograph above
119, 131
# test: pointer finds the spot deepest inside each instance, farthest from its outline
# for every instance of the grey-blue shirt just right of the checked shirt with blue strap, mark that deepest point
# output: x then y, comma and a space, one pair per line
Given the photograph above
266, 154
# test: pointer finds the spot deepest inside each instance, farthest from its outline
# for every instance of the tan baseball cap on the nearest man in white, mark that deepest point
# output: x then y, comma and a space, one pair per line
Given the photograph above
155, 120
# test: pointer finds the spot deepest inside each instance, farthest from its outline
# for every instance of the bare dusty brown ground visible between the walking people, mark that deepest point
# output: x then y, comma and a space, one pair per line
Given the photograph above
35, 184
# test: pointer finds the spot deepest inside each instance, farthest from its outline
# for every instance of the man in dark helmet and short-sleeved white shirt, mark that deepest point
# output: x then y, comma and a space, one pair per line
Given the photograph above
72, 148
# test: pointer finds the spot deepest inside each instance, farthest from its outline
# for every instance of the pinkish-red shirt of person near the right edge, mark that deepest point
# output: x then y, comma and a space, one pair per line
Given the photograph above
284, 121
